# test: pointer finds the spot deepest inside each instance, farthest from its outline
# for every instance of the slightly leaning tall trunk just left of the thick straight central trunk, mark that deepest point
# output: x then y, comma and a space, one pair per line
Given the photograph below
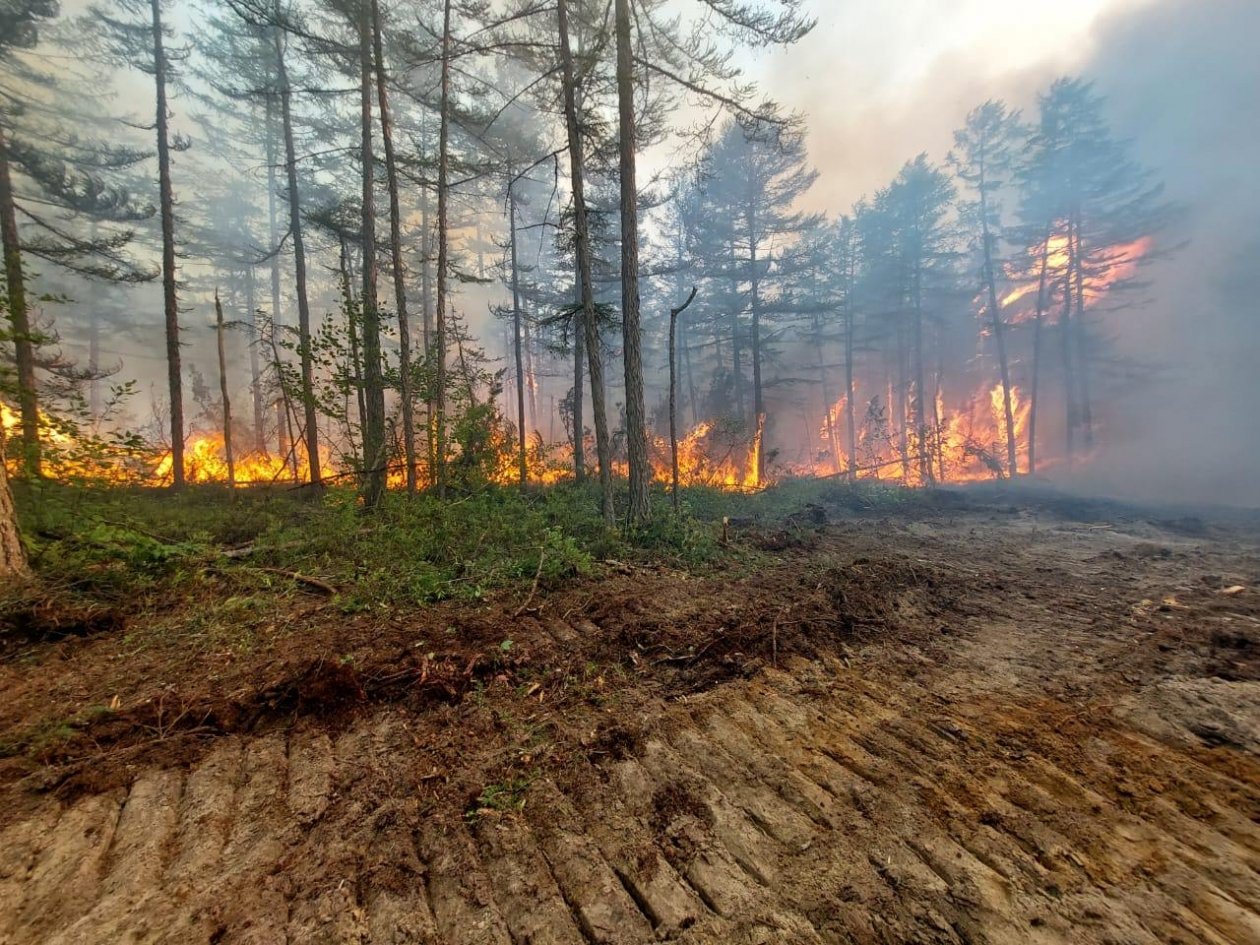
583, 238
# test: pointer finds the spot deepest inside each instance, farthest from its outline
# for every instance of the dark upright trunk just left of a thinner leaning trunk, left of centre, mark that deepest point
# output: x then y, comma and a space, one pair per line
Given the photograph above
374, 381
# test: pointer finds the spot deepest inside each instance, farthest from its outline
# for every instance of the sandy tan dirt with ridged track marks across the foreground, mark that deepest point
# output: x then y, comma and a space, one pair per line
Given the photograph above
769, 811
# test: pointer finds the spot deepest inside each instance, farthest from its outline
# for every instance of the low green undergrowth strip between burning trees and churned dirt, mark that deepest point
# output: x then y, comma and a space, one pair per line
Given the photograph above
156, 554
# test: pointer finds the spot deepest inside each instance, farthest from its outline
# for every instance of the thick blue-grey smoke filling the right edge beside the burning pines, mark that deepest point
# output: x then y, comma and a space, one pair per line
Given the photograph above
1183, 79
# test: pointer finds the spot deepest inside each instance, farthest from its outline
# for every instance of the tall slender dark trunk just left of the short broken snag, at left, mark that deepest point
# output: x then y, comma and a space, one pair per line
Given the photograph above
171, 302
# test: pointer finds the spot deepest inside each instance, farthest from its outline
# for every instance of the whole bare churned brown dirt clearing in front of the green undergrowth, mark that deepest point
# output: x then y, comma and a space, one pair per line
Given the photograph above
994, 720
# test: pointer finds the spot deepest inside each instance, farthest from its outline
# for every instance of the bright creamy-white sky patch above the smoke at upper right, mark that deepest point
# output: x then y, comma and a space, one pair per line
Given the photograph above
883, 80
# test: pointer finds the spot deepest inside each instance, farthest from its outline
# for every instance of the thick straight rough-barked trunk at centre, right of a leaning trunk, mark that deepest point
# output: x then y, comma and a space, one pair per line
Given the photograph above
632, 348
